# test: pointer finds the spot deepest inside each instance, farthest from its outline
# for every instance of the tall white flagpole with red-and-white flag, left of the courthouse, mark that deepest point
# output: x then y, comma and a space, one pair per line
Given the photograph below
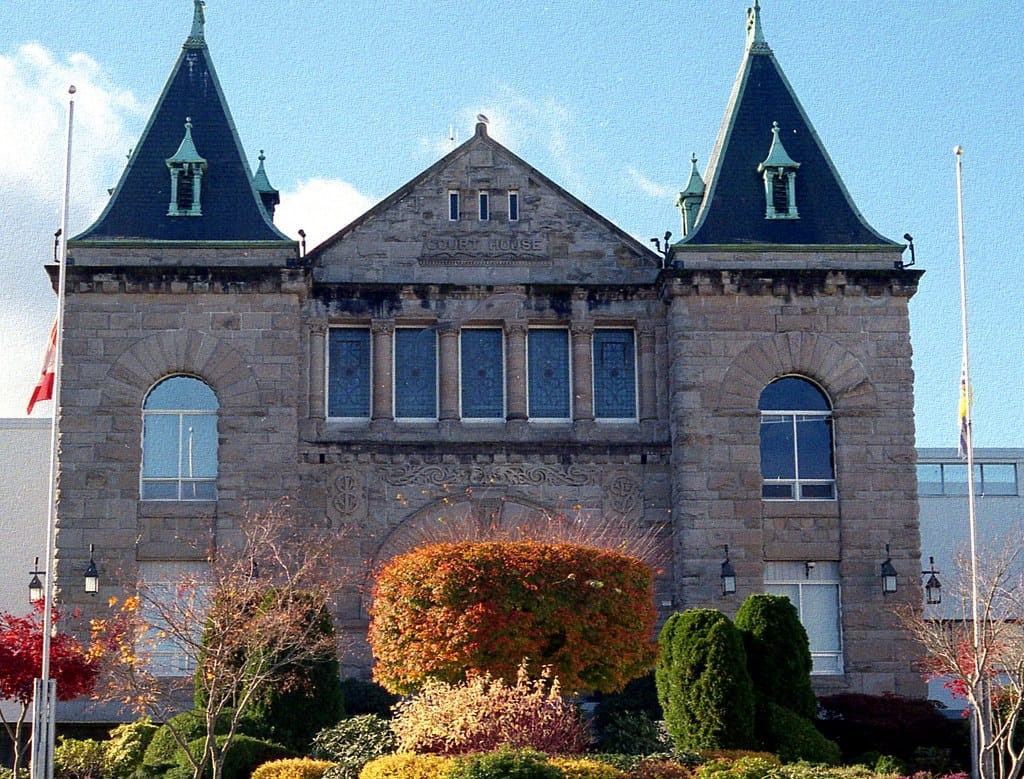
45, 704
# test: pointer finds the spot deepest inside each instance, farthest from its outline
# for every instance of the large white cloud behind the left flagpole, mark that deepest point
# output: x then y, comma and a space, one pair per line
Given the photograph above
33, 146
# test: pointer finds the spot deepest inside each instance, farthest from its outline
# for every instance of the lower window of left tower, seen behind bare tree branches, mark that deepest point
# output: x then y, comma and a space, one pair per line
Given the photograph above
174, 599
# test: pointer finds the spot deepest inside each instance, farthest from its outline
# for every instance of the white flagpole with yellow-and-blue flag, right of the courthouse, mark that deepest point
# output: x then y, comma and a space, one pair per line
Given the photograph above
982, 758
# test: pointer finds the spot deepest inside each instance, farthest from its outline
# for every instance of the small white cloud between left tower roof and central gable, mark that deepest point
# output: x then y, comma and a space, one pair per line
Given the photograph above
321, 207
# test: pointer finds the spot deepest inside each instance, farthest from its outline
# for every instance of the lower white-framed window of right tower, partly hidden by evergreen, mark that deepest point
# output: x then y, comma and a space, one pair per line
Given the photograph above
815, 589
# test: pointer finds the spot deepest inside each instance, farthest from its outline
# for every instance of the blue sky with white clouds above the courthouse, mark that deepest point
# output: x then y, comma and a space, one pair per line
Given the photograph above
609, 99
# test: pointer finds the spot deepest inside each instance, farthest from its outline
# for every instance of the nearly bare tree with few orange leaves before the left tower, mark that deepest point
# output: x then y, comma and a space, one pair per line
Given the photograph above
248, 621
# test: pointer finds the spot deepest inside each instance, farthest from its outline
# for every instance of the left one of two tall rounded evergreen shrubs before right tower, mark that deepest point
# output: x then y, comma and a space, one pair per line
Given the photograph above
703, 683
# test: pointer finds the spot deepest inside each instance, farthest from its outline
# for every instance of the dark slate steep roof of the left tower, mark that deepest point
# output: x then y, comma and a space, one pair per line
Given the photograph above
232, 208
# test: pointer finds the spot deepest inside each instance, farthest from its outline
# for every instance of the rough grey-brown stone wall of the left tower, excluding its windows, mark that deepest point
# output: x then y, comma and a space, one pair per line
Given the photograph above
119, 342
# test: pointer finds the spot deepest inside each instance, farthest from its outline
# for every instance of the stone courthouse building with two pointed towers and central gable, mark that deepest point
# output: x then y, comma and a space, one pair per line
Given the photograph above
482, 344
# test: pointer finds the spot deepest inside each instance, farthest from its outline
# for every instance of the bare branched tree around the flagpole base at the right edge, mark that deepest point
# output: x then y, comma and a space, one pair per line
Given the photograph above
986, 671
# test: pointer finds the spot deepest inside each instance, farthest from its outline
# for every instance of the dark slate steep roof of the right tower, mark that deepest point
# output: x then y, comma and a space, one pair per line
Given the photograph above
734, 209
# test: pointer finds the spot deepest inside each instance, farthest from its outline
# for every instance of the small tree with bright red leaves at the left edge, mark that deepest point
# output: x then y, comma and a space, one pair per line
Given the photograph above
72, 667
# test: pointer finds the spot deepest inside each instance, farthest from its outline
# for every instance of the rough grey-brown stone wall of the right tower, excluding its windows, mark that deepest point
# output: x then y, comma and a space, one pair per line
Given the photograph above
732, 336
